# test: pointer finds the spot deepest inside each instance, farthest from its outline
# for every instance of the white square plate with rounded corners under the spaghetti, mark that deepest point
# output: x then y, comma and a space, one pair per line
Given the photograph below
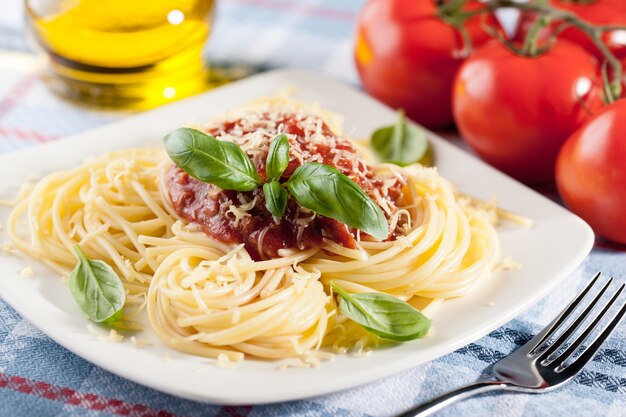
556, 244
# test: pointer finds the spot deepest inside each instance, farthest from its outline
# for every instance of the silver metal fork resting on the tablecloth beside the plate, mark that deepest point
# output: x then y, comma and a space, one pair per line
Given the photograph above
541, 365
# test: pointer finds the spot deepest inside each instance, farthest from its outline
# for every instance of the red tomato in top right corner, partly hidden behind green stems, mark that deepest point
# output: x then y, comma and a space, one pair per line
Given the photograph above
601, 12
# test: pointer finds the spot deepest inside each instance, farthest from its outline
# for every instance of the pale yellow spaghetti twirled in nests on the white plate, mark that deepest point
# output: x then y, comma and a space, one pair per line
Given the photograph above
212, 298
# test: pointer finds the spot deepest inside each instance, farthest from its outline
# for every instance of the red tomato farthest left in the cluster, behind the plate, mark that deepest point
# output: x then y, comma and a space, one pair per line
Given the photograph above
407, 56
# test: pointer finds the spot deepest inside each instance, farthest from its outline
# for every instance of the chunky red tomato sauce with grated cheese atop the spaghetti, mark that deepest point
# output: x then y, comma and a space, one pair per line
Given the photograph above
235, 217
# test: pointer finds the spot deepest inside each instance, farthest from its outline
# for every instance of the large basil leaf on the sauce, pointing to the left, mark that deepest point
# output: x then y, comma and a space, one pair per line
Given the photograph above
212, 161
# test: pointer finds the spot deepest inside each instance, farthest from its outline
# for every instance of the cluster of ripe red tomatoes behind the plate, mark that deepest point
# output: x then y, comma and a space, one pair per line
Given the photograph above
537, 117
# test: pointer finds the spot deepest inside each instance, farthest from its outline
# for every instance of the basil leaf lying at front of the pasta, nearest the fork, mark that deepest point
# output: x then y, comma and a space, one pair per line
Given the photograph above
383, 315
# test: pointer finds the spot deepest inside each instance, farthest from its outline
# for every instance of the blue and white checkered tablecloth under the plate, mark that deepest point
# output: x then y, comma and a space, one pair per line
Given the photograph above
40, 378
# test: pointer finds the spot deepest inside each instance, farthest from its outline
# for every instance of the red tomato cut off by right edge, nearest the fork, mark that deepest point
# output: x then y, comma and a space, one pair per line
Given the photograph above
591, 172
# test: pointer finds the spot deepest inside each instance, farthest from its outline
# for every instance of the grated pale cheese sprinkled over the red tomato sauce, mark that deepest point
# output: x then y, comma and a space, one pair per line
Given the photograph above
253, 129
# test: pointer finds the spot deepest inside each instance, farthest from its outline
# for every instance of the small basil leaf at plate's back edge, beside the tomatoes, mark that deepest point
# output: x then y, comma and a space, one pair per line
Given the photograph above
402, 144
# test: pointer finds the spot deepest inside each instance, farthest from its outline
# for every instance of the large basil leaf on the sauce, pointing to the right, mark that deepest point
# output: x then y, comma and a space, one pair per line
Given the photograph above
326, 191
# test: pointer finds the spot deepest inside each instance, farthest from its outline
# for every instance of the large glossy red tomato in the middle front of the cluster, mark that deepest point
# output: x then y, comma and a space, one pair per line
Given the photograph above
516, 111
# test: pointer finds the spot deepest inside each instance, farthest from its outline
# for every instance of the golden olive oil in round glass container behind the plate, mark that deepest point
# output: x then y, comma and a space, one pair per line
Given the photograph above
123, 53
